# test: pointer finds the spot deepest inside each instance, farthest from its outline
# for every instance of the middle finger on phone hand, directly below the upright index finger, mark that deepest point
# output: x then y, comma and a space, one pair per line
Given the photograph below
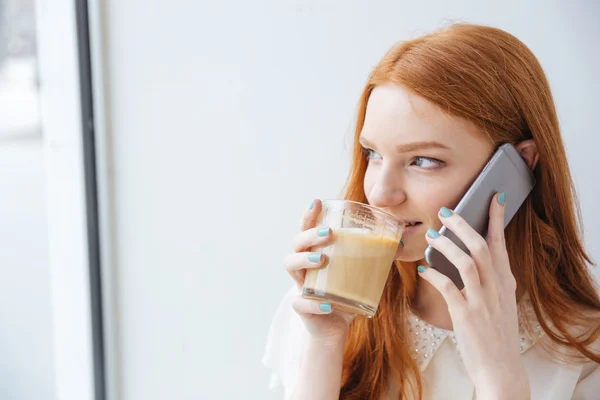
478, 248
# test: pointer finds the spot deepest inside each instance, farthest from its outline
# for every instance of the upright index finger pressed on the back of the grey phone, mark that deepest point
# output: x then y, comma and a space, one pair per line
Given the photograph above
496, 239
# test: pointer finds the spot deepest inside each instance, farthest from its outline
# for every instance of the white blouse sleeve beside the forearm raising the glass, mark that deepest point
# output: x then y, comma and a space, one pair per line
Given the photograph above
285, 343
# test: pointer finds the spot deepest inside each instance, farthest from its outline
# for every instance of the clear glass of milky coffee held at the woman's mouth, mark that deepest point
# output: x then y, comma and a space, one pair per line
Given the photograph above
358, 260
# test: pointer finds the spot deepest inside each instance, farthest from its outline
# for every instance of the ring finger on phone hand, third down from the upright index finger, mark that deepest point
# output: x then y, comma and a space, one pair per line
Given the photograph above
462, 261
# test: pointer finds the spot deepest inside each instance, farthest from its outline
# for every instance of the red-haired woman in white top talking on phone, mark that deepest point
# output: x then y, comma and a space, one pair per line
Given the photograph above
526, 325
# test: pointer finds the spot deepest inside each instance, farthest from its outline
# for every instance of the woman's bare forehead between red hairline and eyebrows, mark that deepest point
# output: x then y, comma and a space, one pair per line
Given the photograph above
395, 113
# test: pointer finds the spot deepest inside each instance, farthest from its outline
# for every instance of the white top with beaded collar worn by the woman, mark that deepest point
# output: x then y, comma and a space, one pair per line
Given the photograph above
436, 352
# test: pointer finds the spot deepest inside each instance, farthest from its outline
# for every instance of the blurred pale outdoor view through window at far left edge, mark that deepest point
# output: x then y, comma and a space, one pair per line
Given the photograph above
26, 346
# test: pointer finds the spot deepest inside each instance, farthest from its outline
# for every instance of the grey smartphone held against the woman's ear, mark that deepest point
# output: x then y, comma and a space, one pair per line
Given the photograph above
505, 172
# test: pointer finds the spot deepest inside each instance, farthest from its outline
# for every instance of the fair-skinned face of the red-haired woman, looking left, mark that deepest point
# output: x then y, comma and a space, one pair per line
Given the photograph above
420, 159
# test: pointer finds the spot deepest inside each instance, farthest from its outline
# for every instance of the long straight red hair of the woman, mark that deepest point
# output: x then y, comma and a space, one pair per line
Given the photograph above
489, 77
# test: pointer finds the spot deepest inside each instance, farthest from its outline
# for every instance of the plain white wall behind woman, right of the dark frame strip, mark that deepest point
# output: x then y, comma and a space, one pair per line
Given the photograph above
227, 118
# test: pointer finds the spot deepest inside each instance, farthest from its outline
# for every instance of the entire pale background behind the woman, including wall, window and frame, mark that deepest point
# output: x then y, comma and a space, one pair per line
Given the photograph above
214, 125
